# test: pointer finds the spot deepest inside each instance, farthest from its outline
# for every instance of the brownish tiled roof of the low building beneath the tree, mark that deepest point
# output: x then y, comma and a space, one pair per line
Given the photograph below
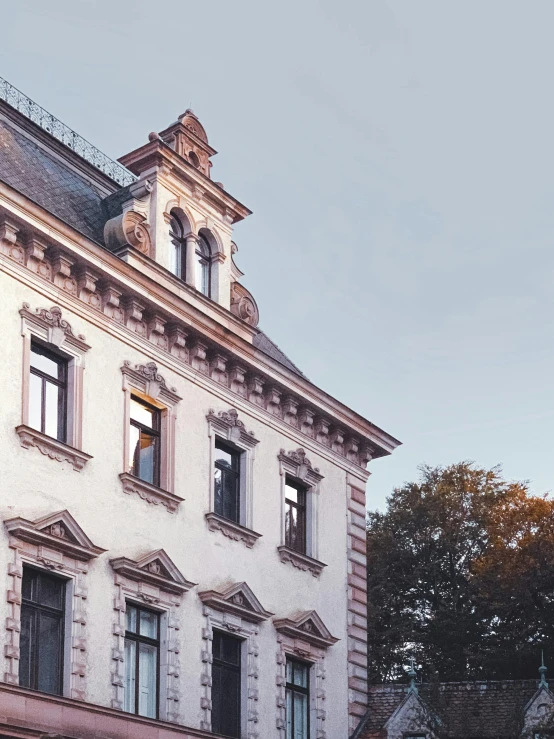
479, 710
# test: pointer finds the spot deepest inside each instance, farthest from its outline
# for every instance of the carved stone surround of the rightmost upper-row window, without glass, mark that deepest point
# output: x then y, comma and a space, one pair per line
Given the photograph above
296, 466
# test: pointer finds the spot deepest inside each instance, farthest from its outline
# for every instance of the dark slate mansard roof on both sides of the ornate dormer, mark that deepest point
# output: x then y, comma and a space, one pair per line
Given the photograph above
48, 182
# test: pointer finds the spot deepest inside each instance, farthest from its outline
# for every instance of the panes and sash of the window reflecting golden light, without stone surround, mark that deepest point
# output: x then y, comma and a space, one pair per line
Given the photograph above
144, 449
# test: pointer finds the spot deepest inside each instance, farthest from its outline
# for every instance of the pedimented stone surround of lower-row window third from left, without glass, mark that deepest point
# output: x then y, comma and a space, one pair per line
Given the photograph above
235, 611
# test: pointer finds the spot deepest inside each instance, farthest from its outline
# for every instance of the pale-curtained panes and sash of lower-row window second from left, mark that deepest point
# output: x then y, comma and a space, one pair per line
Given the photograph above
142, 652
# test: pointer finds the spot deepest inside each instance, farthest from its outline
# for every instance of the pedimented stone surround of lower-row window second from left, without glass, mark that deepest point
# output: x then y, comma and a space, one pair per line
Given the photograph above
138, 582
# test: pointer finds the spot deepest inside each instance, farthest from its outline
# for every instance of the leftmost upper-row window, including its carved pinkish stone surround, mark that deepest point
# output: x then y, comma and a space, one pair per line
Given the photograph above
53, 365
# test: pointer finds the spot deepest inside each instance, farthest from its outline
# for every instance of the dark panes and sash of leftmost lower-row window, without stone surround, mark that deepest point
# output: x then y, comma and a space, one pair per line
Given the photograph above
42, 631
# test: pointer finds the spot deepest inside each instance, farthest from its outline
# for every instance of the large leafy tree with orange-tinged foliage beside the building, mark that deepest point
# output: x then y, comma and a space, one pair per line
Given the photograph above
461, 576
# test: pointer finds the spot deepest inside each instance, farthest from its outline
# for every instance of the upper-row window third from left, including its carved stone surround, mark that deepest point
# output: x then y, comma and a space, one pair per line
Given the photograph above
231, 481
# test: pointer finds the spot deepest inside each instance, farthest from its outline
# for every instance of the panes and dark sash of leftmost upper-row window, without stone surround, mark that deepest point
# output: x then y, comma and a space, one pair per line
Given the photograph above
48, 393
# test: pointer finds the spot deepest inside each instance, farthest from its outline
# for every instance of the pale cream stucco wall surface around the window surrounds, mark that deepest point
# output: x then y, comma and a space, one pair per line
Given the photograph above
33, 485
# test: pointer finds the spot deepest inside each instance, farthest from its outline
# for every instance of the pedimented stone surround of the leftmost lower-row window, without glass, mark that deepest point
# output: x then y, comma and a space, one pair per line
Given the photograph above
54, 544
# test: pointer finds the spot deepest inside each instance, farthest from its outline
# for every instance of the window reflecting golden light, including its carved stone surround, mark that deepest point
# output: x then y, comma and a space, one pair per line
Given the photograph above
149, 435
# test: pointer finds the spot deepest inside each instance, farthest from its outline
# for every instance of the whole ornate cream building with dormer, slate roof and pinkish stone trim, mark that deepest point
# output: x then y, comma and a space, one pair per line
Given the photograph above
182, 545
